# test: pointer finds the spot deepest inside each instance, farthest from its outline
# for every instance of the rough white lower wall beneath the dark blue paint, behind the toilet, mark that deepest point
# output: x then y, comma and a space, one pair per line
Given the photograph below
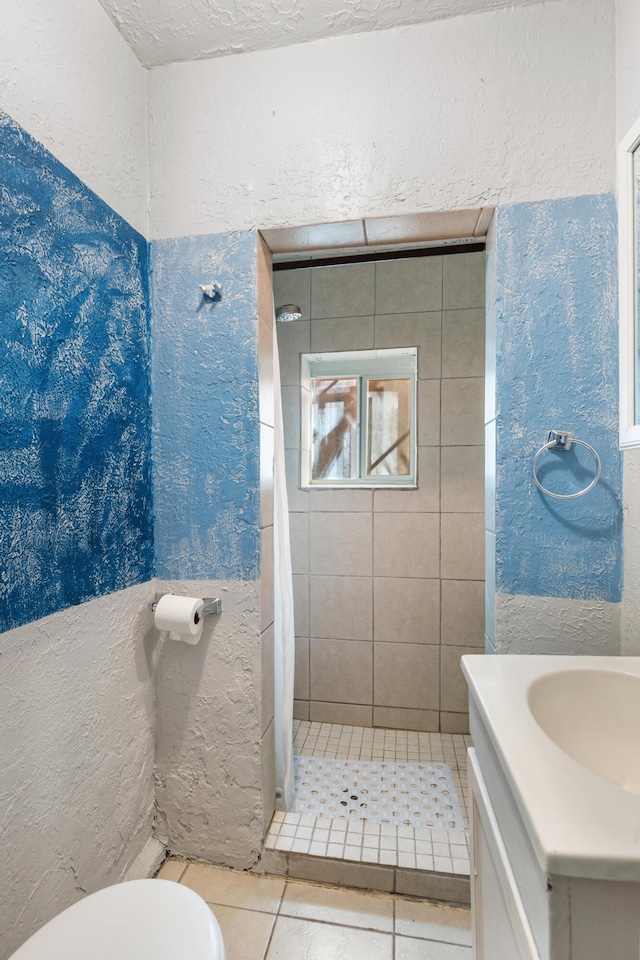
76, 751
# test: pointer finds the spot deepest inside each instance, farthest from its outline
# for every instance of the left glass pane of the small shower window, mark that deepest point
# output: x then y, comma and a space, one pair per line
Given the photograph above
334, 428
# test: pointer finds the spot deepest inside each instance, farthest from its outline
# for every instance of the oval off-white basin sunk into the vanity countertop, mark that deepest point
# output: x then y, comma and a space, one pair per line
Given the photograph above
594, 716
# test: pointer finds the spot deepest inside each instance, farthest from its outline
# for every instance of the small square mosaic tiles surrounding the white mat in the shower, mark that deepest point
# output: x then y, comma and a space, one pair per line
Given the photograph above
411, 845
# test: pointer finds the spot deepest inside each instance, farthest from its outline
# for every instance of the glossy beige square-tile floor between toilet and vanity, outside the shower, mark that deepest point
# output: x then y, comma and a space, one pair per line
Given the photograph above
270, 918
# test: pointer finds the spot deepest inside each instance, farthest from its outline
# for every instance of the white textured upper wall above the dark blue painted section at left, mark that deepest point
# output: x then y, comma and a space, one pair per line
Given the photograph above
71, 81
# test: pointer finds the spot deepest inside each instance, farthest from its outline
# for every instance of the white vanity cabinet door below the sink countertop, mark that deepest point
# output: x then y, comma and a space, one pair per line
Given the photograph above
500, 927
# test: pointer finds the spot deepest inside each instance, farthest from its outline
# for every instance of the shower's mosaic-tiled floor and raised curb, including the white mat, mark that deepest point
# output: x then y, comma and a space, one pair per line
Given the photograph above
365, 796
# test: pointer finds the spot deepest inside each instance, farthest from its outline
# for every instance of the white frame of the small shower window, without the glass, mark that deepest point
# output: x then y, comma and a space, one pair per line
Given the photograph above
392, 364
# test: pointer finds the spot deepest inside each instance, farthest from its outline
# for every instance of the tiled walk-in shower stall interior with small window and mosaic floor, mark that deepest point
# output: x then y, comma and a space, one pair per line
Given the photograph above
387, 562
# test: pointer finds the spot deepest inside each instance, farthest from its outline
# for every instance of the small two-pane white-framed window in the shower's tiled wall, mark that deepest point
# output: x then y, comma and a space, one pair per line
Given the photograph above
359, 418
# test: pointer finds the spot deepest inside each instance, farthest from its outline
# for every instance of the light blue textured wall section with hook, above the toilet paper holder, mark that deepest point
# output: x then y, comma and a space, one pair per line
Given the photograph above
205, 408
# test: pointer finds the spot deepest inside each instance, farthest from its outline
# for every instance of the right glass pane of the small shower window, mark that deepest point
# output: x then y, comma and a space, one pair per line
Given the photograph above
389, 427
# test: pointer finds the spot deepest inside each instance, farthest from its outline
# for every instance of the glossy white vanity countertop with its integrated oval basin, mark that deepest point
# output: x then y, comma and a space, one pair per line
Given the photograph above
566, 733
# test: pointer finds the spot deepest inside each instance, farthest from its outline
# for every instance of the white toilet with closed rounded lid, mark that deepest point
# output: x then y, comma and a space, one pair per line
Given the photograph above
136, 920
